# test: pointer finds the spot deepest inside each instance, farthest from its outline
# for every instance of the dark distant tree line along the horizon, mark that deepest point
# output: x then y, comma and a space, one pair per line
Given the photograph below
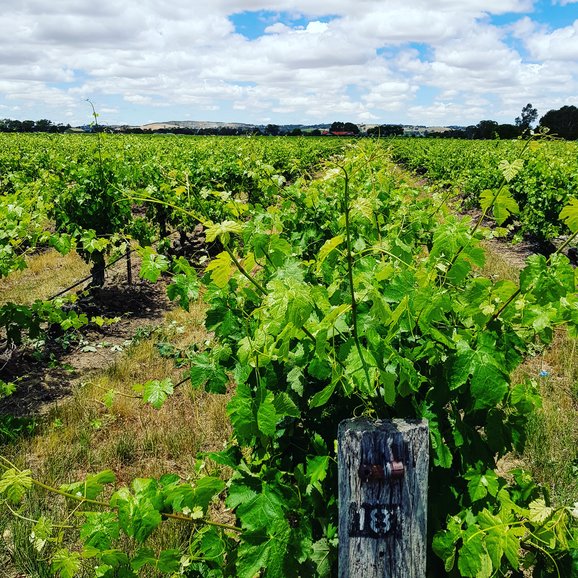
562, 123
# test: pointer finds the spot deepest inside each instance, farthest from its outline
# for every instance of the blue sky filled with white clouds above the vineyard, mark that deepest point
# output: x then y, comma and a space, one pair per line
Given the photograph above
431, 62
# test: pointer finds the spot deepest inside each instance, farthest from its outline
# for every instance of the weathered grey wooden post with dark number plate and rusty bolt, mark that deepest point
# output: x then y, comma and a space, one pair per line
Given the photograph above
383, 467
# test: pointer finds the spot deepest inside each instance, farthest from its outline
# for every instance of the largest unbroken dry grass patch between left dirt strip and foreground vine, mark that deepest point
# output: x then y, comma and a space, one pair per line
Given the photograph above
129, 437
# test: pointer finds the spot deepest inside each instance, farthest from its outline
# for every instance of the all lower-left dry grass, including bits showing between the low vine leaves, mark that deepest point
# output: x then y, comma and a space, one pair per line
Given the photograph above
82, 435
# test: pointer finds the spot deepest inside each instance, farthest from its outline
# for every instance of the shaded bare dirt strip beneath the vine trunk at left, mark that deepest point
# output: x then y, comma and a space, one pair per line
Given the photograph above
47, 371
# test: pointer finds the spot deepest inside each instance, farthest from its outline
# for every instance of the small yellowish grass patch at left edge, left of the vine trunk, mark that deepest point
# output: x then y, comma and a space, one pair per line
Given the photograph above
46, 274
